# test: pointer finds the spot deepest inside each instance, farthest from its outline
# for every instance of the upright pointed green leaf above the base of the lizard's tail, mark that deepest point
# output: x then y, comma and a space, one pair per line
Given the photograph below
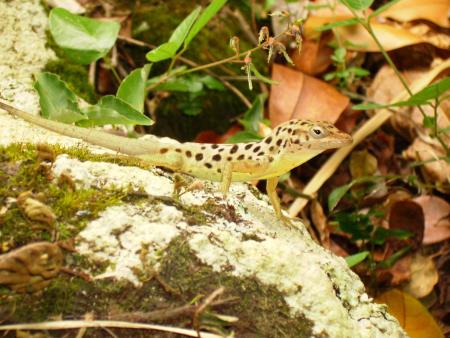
132, 88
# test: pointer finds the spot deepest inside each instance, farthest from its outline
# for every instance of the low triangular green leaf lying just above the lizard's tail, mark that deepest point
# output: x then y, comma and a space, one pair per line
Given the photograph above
116, 111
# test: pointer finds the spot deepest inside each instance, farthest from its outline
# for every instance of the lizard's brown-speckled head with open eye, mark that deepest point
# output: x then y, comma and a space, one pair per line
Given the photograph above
305, 135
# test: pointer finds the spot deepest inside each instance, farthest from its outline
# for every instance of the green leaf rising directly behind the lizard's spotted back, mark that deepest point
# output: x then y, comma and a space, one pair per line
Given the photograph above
251, 120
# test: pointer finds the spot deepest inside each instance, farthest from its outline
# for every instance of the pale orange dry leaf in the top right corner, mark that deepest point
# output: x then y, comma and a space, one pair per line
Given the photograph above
435, 11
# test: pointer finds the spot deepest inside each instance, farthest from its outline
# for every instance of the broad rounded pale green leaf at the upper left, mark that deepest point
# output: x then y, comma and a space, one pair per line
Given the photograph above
84, 40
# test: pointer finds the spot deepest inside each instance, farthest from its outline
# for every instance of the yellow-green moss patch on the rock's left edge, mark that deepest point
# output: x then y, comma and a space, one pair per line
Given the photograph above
21, 171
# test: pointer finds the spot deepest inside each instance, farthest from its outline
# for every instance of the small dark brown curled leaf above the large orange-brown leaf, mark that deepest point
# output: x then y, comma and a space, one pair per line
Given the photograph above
314, 58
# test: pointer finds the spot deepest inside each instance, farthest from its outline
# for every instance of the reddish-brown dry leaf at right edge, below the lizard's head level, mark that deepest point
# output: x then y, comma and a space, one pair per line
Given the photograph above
437, 218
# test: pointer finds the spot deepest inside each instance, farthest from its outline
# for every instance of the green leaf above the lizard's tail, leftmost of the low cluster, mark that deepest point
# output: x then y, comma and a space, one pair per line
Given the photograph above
57, 101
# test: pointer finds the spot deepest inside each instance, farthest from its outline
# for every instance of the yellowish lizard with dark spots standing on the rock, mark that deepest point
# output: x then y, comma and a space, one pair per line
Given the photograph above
289, 145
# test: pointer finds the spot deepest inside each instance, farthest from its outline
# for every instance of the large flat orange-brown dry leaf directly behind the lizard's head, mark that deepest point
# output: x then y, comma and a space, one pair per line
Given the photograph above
298, 95
